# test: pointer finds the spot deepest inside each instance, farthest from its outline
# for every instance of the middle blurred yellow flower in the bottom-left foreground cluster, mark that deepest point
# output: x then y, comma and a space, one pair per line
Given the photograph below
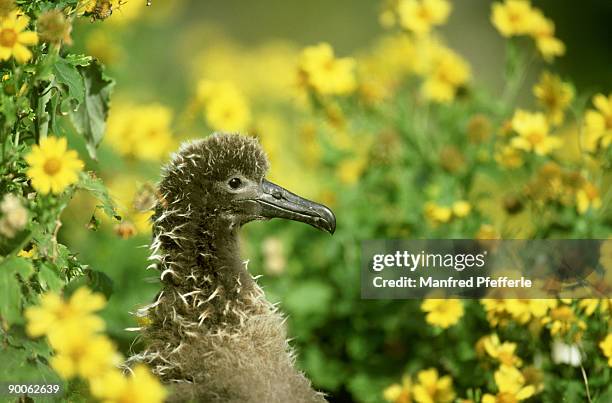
79, 353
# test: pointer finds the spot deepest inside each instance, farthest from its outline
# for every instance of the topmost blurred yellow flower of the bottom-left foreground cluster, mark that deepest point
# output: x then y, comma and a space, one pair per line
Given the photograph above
53, 313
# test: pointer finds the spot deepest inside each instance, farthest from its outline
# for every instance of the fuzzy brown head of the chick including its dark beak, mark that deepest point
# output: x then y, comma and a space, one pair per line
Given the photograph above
223, 176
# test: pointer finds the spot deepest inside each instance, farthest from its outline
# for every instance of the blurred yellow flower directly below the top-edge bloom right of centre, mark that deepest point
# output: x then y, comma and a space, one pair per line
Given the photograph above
447, 72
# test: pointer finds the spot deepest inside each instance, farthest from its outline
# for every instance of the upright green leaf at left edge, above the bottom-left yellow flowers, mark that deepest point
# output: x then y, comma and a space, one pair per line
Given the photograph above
10, 288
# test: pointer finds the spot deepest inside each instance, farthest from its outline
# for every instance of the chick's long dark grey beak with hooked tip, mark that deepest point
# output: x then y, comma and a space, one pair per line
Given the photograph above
277, 202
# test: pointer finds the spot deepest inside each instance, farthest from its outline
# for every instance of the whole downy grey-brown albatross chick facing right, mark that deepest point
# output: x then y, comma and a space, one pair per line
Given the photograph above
211, 334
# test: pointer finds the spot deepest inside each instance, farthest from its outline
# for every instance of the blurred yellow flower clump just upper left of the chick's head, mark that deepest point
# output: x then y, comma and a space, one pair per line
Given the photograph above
141, 132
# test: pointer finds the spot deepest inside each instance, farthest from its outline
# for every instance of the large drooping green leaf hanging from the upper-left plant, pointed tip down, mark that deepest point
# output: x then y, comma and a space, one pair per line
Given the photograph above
90, 117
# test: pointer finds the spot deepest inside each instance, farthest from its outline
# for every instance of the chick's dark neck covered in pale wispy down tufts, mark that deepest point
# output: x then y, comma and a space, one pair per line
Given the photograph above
205, 282
